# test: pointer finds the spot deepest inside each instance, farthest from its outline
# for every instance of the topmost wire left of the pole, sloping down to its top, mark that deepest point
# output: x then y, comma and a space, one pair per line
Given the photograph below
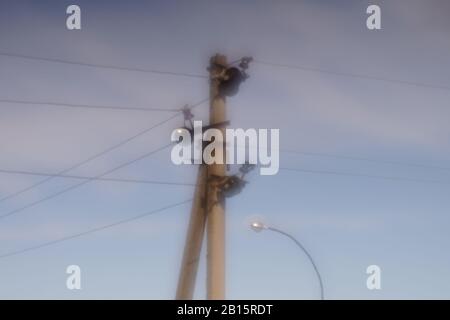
102, 66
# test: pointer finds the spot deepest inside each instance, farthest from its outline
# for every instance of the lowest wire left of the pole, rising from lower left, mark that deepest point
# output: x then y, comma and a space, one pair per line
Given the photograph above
80, 234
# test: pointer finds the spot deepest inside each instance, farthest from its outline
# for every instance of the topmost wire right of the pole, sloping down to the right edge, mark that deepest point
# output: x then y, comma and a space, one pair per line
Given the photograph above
354, 75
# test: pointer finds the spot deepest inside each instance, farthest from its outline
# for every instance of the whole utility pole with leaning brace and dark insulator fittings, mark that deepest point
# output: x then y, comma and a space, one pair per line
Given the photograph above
213, 185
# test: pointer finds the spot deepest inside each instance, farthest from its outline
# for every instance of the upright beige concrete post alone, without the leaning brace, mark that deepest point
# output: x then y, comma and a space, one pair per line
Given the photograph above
215, 203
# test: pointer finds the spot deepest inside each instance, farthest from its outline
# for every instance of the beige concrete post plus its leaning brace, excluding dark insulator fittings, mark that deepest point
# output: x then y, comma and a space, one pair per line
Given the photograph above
207, 208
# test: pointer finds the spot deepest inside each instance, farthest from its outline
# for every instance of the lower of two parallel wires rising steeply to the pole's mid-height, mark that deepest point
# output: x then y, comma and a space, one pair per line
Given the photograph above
72, 187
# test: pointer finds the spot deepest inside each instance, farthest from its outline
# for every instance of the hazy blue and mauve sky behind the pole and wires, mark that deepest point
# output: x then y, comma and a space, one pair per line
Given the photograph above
347, 222
